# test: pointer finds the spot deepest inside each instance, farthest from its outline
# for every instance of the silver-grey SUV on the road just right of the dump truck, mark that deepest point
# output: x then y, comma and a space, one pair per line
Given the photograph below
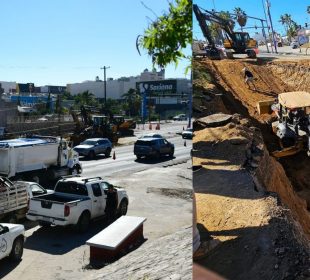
93, 147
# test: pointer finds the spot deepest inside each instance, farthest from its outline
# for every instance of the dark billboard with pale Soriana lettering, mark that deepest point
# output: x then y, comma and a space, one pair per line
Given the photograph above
157, 87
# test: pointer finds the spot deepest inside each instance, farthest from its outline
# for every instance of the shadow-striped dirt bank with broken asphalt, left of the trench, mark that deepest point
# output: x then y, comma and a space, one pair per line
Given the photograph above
257, 239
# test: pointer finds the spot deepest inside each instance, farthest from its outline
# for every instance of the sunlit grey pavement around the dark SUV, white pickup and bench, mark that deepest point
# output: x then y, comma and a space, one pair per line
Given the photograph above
63, 253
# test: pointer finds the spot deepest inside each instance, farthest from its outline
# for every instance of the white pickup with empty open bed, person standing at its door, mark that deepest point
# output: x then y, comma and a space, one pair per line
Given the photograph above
76, 201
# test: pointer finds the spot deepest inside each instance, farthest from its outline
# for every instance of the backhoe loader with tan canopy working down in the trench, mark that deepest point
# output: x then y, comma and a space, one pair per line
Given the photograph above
293, 125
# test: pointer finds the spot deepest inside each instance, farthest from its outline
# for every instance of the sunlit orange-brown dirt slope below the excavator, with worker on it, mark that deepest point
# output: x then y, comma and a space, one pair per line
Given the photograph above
228, 76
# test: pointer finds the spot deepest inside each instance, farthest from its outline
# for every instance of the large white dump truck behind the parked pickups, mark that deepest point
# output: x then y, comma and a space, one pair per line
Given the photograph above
38, 158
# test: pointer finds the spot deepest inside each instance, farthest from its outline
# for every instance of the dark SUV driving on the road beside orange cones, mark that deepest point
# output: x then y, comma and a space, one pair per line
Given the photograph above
153, 147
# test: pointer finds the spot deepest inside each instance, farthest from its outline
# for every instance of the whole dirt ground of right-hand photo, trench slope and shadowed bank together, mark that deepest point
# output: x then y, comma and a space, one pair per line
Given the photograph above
255, 228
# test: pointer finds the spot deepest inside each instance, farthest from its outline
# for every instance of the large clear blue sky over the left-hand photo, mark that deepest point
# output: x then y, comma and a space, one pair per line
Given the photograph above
55, 42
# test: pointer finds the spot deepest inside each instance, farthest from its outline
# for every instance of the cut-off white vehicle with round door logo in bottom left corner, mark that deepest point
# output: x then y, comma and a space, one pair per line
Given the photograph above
11, 241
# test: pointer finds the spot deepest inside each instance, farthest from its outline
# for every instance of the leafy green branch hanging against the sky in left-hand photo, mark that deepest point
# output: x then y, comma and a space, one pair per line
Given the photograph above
166, 38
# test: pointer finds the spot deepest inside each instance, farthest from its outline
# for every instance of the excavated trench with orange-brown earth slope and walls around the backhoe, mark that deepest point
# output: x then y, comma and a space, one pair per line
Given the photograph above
289, 176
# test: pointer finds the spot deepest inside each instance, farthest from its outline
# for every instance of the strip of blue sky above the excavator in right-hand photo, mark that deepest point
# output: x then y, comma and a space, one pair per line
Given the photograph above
297, 9
